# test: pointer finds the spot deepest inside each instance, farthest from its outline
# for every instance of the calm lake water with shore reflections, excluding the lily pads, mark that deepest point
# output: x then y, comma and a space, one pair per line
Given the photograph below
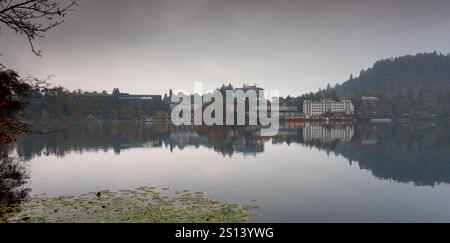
307, 173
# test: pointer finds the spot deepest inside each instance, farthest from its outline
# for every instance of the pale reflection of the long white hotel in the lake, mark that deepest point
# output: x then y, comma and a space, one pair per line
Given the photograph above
315, 131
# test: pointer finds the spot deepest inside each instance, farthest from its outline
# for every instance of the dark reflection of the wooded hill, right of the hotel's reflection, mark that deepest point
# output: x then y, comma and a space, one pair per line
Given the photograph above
418, 153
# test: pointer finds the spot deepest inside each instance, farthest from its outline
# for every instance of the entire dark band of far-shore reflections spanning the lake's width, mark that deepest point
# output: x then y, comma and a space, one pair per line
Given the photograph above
417, 153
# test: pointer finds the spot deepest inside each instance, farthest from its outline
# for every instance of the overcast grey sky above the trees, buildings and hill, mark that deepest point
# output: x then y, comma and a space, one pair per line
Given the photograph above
292, 46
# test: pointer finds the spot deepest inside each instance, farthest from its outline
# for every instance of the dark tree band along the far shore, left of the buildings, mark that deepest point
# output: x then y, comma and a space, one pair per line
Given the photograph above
60, 103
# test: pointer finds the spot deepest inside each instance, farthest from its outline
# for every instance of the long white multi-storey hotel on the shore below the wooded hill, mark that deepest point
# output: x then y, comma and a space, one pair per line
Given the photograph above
315, 109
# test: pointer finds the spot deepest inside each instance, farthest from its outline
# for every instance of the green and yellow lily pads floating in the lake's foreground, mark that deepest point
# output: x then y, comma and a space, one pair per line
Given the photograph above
141, 205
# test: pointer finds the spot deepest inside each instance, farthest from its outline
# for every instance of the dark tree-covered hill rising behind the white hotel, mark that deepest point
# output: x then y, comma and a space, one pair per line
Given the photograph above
417, 85
